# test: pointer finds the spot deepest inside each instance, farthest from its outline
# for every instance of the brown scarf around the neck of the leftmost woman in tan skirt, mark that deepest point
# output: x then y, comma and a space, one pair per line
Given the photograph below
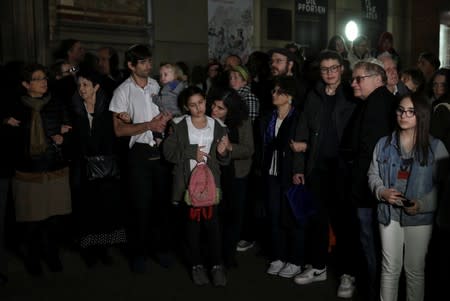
38, 140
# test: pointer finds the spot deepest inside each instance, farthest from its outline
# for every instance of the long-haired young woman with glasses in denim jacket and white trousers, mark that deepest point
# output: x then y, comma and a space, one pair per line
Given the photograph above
403, 176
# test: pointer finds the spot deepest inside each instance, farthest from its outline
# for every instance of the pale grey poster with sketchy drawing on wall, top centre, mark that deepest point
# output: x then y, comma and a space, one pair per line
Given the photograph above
230, 28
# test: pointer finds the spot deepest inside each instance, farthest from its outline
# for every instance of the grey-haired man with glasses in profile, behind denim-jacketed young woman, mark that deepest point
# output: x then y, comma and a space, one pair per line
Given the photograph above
374, 118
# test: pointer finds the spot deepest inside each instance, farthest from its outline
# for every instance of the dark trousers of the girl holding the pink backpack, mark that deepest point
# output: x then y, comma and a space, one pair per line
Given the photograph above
196, 229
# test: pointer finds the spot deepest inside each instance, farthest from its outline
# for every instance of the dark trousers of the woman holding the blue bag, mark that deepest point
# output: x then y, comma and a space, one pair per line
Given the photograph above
286, 236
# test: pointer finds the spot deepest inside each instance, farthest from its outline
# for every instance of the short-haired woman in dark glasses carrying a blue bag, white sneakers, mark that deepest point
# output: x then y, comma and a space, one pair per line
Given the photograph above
278, 128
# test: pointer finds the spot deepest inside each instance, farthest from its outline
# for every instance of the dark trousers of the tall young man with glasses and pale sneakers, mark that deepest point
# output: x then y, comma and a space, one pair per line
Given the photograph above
333, 207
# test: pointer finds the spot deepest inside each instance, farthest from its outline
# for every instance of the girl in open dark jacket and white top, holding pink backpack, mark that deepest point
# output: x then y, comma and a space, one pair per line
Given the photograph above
198, 139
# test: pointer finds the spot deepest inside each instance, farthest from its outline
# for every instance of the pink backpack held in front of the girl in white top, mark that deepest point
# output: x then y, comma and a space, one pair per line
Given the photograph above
202, 190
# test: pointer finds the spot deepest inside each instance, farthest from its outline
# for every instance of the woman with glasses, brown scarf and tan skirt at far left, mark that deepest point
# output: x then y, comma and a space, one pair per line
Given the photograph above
41, 182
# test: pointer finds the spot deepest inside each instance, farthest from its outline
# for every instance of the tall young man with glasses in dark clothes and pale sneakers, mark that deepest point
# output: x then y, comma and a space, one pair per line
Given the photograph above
328, 108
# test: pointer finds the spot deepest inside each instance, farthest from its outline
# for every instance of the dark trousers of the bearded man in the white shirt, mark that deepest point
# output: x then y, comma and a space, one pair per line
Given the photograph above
149, 192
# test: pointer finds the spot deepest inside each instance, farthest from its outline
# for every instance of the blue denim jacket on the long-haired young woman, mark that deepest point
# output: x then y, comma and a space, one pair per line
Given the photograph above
421, 186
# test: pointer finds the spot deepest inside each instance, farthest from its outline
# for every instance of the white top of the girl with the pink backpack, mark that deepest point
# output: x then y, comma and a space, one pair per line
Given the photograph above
202, 137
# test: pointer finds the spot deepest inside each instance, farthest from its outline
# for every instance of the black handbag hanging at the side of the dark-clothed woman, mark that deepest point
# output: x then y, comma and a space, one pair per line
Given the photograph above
101, 167
